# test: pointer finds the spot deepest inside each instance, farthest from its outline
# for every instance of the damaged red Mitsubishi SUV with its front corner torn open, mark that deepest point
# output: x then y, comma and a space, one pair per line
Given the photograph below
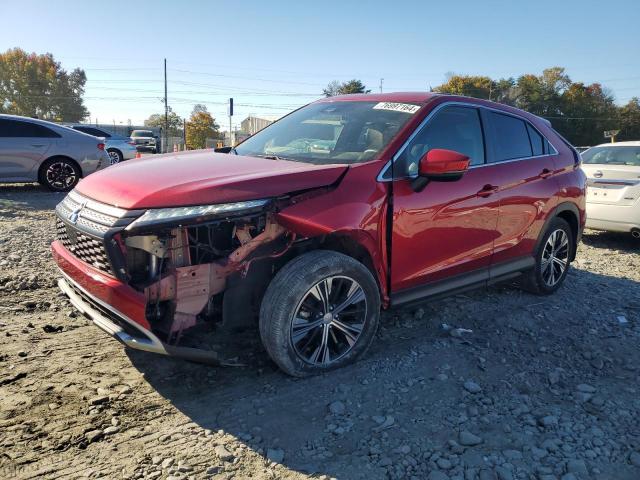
311, 226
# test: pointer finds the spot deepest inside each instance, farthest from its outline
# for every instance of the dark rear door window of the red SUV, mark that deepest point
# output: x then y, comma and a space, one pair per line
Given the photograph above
509, 137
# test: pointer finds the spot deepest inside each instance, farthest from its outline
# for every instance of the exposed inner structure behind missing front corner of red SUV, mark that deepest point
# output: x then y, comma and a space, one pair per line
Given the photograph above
197, 273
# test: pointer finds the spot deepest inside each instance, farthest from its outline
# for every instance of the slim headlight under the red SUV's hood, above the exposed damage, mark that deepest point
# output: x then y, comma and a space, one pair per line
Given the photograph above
195, 214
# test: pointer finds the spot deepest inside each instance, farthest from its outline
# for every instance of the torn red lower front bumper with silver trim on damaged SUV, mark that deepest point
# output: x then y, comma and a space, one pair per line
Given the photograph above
115, 307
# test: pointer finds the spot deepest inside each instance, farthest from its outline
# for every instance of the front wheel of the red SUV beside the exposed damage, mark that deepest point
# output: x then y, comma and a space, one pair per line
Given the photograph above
320, 312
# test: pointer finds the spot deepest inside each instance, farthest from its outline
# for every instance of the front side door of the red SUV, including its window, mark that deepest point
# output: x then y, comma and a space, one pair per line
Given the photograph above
447, 230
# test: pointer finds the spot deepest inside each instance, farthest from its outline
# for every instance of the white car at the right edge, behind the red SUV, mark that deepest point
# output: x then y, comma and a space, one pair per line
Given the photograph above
613, 198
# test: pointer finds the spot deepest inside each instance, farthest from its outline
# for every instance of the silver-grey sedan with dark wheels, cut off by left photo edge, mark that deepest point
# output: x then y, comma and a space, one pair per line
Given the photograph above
33, 150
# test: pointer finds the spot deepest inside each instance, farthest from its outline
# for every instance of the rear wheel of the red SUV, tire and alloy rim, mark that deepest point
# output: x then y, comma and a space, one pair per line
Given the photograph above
552, 257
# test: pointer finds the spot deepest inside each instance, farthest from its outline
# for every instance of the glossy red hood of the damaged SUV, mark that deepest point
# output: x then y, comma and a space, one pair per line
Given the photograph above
202, 177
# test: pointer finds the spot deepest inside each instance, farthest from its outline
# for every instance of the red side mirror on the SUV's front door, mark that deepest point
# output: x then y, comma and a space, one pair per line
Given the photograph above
440, 165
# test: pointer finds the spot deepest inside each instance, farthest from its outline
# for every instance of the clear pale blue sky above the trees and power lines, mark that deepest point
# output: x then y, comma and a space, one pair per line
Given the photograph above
274, 55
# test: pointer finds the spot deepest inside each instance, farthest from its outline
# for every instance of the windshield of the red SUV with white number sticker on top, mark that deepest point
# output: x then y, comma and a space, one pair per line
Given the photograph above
335, 132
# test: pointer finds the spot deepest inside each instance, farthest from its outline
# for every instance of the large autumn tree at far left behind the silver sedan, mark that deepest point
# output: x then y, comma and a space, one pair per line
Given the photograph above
35, 85
